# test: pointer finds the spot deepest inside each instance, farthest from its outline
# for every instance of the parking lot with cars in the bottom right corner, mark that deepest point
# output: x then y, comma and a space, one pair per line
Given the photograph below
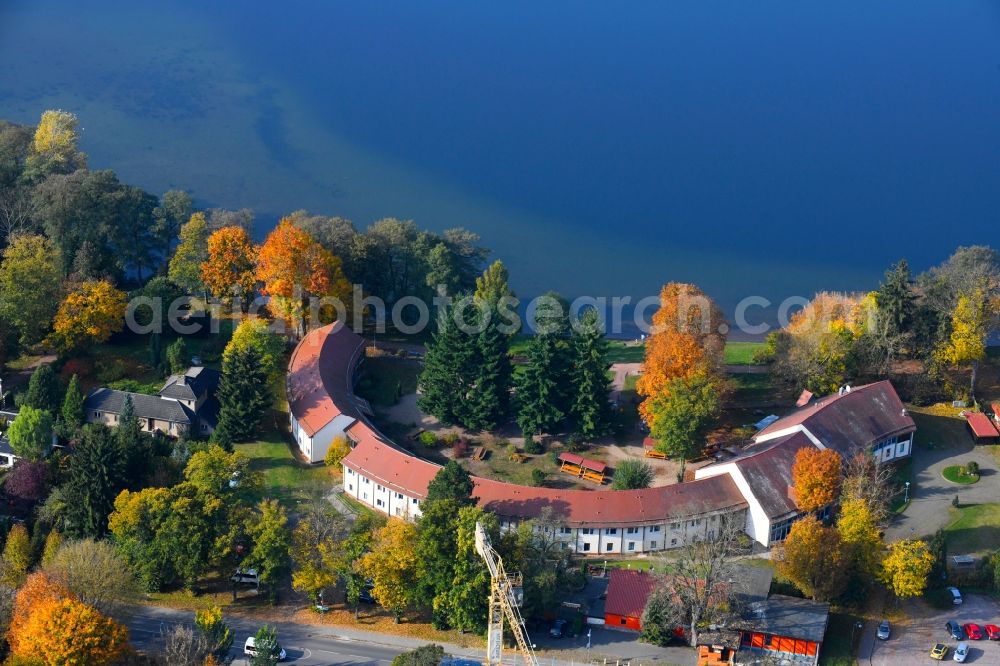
923, 626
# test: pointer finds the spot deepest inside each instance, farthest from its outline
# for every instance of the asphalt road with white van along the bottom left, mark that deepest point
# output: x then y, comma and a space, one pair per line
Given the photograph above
305, 644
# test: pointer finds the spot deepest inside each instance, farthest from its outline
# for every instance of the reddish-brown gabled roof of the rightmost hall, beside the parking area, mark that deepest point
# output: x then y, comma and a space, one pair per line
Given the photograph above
849, 421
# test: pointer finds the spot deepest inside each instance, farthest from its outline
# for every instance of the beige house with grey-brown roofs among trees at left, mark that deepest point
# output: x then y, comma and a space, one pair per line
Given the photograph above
185, 405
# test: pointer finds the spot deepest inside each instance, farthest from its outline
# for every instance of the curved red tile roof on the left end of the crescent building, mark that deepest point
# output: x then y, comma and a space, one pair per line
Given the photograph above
320, 373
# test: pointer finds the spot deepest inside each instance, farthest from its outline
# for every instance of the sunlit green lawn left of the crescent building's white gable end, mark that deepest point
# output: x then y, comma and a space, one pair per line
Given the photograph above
286, 478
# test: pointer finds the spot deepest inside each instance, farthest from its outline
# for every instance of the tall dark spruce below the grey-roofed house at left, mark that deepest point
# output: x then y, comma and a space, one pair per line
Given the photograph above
96, 476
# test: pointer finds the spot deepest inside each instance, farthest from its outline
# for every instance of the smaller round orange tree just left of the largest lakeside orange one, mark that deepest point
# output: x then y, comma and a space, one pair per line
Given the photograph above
230, 271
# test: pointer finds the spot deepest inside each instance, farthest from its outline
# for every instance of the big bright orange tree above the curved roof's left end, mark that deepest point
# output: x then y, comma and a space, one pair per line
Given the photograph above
295, 268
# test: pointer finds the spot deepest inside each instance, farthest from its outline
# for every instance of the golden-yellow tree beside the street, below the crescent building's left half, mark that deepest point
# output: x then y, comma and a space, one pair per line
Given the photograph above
392, 565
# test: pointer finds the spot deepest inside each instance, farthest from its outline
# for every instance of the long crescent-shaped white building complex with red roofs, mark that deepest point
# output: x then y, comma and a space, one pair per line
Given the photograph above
389, 479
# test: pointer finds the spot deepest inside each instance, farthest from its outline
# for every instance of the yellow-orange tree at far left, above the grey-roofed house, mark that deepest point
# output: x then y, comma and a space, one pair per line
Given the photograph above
89, 314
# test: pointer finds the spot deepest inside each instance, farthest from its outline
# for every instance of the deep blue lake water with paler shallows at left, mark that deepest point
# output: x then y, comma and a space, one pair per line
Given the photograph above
770, 148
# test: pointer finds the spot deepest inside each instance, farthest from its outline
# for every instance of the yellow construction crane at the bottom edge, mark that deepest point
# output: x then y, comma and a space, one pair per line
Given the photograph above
506, 597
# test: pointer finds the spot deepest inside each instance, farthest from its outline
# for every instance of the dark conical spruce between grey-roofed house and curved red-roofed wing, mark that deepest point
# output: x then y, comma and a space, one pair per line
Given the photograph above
244, 395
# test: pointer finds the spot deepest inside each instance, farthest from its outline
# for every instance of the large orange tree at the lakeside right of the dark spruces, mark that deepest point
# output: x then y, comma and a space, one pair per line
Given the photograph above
684, 350
